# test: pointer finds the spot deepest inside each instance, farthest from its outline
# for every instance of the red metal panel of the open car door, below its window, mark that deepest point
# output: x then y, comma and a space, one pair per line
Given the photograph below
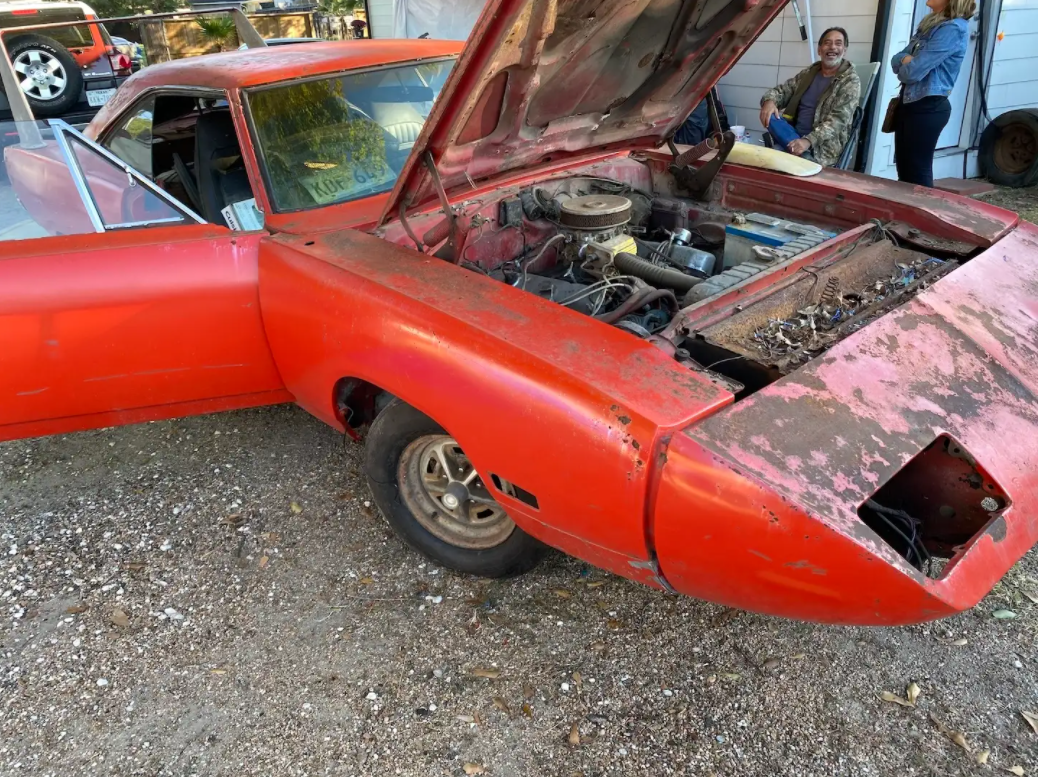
120, 332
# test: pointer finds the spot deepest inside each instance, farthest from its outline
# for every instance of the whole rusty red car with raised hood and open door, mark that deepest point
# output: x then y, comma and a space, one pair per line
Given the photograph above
719, 371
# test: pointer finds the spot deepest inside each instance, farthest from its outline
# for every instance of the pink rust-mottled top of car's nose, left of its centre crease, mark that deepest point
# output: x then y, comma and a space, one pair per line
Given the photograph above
870, 420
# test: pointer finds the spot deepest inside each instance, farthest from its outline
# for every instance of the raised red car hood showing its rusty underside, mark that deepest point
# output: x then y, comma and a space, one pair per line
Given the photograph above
541, 80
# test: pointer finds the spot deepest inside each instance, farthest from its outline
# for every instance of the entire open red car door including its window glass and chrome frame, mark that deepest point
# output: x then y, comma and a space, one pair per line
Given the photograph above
118, 302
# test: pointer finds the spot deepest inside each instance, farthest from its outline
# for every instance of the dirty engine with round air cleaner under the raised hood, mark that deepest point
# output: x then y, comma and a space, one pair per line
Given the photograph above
624, 257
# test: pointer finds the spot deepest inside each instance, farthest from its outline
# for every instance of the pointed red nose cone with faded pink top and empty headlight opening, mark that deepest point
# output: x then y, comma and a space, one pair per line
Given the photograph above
777, 480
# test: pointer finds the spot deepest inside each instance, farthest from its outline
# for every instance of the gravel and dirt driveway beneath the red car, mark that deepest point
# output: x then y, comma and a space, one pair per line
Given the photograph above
215, 597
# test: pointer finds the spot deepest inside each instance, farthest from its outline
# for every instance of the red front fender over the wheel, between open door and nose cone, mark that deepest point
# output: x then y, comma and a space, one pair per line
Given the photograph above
570, 410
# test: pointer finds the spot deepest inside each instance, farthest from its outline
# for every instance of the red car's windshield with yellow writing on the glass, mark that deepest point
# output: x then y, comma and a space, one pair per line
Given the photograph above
342, 138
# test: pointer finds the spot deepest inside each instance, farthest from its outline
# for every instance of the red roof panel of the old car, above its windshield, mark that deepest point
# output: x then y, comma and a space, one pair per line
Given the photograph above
255, 67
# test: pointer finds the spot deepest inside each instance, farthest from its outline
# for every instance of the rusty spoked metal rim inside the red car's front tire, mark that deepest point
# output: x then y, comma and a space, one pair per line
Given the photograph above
448, 497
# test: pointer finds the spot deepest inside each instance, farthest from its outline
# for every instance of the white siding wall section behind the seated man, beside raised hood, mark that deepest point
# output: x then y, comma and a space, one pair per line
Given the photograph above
780, 54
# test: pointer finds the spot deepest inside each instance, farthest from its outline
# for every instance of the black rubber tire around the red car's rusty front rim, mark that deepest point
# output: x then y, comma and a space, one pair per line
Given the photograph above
389, 464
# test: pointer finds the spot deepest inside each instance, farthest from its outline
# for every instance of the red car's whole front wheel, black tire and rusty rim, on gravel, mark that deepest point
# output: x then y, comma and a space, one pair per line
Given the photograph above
436, 502
